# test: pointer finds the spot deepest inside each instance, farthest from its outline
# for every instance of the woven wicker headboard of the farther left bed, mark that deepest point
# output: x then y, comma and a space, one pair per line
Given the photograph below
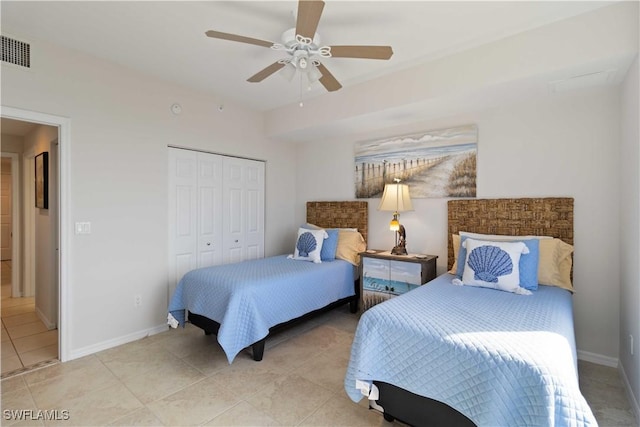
340, 215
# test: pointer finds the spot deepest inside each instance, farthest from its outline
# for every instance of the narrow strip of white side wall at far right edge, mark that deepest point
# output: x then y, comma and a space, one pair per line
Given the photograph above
630, 234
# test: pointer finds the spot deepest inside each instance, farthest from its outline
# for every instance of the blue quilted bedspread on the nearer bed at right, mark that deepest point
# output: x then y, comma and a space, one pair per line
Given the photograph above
499, 358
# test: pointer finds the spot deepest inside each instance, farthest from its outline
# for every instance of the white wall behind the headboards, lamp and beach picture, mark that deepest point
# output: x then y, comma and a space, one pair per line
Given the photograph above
562, 145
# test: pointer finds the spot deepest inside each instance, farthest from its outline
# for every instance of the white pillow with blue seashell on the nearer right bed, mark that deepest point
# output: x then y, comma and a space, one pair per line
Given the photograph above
494, 265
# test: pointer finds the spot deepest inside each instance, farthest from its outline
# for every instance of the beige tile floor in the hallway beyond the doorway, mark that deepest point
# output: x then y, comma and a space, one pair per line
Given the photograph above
26, 341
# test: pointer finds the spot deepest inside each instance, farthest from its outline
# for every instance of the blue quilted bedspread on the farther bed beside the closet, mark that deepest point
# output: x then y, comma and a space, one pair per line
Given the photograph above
248, 298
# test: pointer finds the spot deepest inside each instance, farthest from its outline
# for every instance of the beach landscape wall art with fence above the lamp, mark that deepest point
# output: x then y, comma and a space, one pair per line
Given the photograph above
436, 163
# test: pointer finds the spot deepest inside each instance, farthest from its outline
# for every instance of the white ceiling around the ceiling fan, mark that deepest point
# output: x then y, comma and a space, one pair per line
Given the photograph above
167, 40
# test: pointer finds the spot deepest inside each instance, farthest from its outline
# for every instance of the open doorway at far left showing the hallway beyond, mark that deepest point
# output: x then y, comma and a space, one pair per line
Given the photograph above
29, 306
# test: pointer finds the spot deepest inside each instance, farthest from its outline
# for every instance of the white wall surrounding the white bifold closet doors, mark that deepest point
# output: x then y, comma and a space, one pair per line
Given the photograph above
121, 126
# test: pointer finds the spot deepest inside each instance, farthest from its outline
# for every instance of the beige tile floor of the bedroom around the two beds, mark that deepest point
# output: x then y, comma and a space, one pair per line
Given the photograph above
181, 377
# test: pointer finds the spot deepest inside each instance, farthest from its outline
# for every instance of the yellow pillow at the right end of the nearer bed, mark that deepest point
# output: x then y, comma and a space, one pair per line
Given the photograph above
554, 266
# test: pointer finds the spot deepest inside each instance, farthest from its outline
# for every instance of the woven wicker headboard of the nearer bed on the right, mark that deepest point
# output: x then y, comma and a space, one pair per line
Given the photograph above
516, 217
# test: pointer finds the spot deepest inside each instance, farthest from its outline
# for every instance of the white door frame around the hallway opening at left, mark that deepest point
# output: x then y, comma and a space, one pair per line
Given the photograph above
64, 214
